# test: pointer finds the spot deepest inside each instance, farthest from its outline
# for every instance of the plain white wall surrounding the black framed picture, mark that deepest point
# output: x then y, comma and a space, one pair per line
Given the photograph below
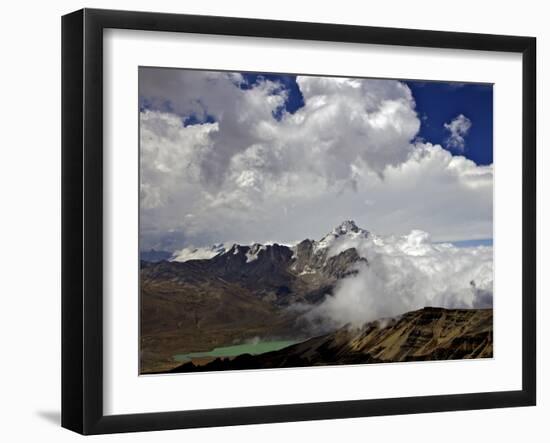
30, 219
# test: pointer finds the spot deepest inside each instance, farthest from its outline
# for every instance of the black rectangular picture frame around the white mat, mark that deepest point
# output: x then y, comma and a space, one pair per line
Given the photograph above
82, 218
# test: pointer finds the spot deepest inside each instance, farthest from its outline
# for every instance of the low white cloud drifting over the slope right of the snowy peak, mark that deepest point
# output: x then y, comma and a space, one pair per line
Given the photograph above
405, 273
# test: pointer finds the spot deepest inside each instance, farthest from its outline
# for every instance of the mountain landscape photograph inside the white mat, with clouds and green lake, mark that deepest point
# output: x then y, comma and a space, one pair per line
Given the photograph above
297, 220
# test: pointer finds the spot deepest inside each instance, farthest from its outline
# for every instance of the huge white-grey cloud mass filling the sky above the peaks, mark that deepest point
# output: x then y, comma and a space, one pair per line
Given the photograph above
243, 175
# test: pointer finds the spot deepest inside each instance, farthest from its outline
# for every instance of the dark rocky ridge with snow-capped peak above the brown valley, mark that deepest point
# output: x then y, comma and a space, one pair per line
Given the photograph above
285, 274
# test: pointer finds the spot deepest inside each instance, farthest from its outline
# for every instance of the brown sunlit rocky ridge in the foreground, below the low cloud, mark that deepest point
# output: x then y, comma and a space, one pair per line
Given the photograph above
426, 334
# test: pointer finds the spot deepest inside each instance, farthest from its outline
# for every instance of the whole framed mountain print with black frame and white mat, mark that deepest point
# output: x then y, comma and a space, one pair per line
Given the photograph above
270, 221
